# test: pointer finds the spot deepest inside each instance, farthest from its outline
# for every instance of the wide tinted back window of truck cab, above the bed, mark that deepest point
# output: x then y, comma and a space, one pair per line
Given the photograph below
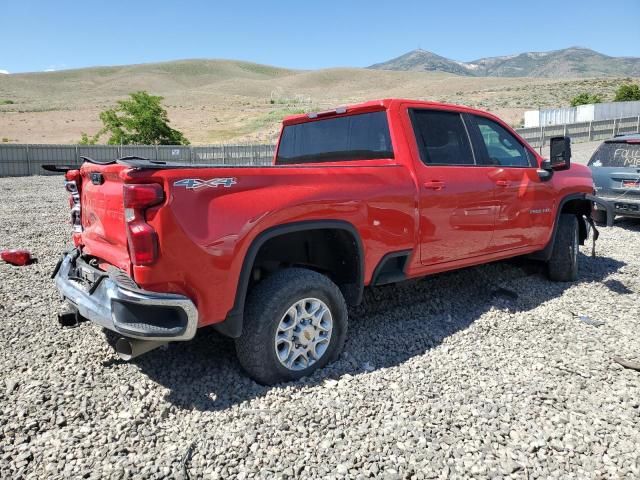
355, 137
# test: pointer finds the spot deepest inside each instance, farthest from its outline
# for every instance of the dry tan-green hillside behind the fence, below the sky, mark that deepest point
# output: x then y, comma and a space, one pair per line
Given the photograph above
232, 101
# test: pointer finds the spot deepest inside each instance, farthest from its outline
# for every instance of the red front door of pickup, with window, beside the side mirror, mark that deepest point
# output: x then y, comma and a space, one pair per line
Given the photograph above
525, 203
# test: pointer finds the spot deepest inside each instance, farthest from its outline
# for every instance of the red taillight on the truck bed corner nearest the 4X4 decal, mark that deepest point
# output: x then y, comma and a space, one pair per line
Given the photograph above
143, 239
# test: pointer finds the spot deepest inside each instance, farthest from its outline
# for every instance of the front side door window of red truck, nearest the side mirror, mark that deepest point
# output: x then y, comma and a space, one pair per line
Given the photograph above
497, 146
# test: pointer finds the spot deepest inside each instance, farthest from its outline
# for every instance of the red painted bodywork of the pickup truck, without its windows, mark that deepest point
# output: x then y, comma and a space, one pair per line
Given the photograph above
448, 216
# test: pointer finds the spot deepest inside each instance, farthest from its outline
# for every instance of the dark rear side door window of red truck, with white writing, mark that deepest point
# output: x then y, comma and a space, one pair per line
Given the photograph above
442, 137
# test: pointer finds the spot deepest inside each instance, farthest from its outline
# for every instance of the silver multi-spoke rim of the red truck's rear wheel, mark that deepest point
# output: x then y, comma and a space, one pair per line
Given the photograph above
303, 334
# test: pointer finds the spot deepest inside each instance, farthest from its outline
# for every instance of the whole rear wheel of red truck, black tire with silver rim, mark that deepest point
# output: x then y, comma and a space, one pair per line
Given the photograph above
295, 323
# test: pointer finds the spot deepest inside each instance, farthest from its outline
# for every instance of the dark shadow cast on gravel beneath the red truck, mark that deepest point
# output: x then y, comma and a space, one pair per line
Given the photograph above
393, 324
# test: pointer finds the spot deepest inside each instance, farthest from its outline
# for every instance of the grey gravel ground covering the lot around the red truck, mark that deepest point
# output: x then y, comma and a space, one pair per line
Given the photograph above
488, 372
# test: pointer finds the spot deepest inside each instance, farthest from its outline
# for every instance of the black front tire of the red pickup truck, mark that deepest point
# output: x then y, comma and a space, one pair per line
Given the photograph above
563, 264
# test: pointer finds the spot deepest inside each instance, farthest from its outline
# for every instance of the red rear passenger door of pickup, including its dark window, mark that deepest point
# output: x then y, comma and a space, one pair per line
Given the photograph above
456, 195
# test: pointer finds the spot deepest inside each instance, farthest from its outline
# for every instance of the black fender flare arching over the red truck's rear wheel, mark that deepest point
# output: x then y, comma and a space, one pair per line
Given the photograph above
232, 324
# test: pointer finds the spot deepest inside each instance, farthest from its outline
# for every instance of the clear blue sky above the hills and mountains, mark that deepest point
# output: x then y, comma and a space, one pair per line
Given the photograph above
37, 35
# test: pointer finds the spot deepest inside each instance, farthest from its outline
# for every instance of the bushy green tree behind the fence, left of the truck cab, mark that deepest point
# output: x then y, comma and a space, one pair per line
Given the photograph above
141, 120
